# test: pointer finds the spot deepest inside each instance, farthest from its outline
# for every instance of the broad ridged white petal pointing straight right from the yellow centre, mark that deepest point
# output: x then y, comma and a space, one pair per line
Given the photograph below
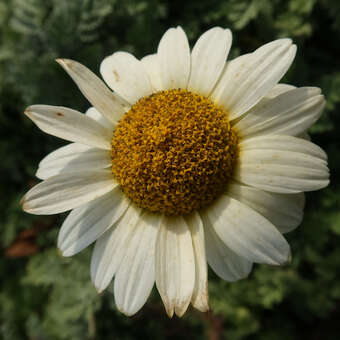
282, 164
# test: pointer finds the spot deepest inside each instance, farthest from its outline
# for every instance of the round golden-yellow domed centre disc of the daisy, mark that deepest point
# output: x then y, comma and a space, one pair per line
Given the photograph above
174, 152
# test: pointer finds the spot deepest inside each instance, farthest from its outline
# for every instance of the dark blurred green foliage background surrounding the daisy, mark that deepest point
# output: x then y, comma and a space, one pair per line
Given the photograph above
44, 296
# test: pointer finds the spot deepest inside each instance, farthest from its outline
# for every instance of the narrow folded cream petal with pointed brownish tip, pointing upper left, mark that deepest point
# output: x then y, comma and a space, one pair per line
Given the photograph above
109, 104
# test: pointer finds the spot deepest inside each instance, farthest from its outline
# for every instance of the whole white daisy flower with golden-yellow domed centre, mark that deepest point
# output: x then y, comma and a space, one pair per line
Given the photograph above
185, 159
